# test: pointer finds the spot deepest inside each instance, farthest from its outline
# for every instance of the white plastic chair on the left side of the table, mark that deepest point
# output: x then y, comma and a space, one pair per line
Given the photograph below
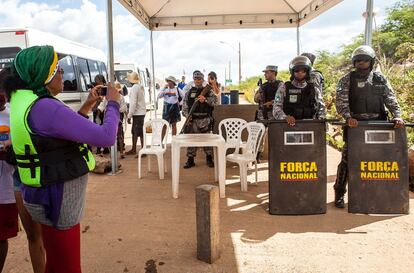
157, 147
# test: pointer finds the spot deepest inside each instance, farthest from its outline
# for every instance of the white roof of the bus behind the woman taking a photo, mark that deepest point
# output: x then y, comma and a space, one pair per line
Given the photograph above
61, 45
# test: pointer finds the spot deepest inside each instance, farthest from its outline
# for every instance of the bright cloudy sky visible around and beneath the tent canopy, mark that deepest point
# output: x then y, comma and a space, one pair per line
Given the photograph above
181, 52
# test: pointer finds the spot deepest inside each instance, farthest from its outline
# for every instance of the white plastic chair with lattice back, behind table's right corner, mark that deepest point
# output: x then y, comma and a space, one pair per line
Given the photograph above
232, 128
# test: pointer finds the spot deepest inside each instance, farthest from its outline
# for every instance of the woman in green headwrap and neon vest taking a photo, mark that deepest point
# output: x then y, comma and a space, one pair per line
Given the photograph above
52, 159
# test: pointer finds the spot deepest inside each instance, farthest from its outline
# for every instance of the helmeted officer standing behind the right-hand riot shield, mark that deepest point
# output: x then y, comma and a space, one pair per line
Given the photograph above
361, 95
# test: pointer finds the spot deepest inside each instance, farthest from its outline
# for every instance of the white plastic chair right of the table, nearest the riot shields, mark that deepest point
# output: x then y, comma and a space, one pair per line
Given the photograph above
255, 134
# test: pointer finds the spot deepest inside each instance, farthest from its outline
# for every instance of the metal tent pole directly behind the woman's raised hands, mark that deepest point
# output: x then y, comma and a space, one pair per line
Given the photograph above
114, 157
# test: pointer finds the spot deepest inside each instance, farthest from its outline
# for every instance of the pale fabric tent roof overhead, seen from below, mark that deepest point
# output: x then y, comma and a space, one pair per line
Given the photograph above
161, 15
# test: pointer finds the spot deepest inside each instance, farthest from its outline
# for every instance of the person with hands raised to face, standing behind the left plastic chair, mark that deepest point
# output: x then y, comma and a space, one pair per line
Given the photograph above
171, 110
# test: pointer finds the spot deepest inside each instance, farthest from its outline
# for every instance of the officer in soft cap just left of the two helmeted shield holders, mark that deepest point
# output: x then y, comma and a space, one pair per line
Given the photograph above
266, 93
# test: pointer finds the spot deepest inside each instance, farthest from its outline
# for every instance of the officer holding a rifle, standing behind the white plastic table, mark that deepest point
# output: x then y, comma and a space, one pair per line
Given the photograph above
201, 119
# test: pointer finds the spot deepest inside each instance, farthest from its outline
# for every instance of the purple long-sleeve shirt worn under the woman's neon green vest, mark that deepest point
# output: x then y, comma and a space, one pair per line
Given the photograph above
51, 118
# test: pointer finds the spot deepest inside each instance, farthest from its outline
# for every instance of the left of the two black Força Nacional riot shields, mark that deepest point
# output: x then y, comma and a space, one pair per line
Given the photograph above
297, 167
